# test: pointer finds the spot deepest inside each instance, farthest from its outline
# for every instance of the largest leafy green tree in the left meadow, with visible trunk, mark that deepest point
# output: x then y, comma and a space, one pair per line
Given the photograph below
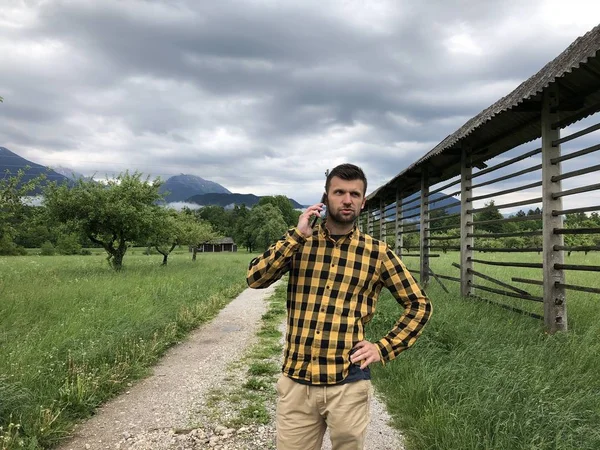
112, 215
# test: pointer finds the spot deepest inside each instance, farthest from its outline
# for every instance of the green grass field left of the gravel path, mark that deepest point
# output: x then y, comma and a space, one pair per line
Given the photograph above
73, 332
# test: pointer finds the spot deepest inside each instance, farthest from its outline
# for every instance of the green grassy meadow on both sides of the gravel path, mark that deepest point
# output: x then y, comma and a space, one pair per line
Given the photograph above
74, 333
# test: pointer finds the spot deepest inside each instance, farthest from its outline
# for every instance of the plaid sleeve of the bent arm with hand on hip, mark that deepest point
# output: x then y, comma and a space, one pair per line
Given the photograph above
417, 307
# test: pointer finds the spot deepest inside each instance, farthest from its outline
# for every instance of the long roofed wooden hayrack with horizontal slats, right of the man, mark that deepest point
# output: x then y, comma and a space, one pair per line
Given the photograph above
510, 156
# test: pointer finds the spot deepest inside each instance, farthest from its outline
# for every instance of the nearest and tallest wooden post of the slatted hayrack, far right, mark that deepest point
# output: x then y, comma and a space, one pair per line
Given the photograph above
555, 305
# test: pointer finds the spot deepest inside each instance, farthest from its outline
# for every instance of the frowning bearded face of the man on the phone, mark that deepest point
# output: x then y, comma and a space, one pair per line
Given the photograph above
345, 200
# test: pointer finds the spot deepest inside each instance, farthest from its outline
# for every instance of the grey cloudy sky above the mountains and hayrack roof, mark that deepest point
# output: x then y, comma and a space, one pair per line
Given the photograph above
262, 96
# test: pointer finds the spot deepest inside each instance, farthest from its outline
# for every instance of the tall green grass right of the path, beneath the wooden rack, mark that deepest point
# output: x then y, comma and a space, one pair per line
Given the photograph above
481, 377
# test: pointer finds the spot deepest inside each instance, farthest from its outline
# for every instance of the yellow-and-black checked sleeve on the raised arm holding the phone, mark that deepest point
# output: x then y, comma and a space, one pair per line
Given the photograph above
266, 269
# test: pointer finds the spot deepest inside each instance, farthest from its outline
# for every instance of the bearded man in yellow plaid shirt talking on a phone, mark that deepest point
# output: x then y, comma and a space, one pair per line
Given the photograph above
336, 274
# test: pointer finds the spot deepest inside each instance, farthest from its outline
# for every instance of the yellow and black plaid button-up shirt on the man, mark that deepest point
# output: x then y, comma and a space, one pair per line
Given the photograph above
332, 293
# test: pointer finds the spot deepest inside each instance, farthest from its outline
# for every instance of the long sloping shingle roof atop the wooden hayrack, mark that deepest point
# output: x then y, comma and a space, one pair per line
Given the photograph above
515, 118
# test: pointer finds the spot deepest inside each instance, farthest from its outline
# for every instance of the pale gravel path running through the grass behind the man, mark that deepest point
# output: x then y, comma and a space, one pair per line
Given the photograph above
155, 414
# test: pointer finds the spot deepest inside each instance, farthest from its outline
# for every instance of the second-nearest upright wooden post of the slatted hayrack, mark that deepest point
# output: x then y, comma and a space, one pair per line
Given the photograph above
466, 243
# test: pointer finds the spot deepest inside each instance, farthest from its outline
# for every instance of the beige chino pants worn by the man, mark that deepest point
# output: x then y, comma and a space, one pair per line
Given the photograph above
304, 413
